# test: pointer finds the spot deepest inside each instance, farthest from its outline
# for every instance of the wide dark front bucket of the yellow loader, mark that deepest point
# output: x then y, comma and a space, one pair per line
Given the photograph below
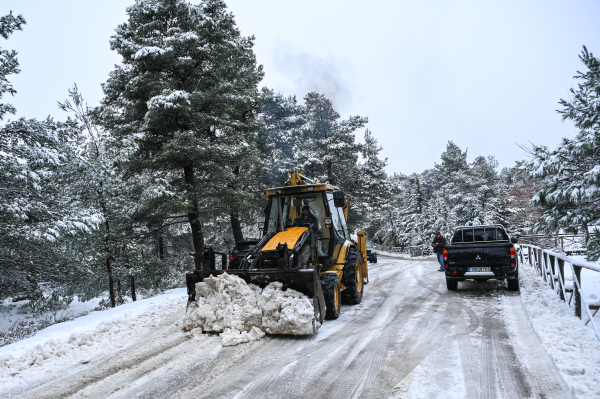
306, 281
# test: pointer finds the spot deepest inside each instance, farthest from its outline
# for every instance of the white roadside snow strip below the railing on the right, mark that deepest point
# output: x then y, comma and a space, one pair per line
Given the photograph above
573, 347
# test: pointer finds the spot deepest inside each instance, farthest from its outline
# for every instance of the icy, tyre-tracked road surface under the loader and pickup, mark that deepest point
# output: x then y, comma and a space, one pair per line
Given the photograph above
409, 338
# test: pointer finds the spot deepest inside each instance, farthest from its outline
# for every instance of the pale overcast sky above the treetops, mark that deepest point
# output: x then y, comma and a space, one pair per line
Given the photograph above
487, 75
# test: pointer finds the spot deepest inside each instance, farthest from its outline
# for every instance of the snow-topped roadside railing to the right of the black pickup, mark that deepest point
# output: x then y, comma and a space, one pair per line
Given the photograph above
551, 267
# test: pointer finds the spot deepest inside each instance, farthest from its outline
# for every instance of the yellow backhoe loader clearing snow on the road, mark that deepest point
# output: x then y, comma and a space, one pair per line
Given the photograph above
305, 245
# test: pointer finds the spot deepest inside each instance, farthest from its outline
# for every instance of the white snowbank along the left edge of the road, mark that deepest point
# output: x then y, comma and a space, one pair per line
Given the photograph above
77, 342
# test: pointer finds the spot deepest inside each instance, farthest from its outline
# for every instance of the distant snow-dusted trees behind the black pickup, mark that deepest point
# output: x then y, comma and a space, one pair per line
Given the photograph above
452, 193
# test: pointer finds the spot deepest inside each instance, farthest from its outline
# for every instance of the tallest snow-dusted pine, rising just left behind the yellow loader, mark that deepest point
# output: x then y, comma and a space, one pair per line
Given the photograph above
185, 93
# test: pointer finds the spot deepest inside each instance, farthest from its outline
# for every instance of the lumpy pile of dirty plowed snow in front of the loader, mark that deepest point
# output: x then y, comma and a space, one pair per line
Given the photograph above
244, 312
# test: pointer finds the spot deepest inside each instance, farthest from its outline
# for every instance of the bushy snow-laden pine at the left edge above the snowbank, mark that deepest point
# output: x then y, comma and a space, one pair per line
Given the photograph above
35, 218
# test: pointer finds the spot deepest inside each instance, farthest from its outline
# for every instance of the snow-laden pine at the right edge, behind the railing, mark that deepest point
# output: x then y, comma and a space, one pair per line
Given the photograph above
569, 176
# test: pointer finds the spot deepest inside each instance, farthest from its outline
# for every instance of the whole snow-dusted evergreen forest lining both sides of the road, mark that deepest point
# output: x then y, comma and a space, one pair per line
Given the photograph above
115, 200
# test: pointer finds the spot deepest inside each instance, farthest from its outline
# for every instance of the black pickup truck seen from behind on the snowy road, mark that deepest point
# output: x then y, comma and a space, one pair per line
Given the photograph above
481, 253
